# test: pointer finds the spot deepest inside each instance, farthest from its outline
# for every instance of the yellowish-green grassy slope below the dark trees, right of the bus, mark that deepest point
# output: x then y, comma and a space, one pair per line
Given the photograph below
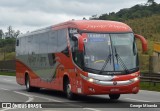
149, 27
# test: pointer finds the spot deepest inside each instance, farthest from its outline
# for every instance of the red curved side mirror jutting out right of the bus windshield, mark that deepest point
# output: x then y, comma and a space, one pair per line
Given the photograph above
143, 41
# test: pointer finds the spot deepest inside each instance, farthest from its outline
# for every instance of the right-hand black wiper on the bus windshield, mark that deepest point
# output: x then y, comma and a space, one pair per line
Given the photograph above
121, 61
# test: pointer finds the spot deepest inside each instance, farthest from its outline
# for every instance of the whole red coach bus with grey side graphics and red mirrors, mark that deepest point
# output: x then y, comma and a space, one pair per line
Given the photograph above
86, 57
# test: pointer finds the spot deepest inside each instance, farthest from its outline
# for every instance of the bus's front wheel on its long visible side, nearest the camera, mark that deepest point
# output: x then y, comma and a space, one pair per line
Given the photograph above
68, 91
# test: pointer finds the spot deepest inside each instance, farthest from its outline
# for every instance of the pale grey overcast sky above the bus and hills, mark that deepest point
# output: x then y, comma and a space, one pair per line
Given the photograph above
28, 15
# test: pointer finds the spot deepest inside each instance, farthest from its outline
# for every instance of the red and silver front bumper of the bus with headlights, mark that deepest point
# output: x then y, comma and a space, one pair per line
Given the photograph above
110, 87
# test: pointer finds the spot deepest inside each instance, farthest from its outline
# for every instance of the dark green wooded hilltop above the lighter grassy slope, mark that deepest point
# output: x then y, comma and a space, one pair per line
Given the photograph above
137, 11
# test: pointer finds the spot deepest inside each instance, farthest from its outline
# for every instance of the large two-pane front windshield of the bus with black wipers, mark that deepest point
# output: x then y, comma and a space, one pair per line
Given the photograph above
118, 50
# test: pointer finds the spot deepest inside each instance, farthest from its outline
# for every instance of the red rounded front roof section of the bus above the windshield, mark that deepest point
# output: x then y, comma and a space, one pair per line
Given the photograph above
95, 26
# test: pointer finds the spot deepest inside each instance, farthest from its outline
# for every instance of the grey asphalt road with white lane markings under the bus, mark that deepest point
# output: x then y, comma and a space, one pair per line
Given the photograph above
10, 91
